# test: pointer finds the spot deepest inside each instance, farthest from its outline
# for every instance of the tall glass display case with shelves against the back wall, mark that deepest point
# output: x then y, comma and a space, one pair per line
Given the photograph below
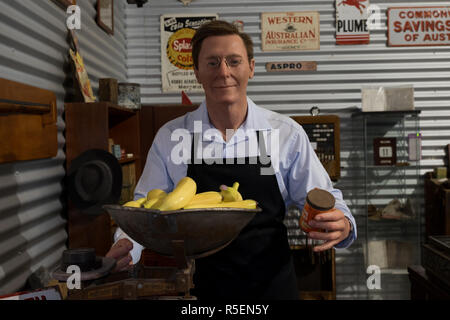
387, 198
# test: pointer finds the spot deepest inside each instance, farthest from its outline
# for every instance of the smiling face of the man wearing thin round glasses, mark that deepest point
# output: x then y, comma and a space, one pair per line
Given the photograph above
224, 83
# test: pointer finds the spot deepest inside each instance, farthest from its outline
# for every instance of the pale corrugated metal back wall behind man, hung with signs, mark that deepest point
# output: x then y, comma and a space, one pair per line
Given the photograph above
335, 88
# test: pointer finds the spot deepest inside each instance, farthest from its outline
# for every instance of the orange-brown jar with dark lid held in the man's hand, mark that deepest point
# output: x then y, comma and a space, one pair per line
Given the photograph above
317, 201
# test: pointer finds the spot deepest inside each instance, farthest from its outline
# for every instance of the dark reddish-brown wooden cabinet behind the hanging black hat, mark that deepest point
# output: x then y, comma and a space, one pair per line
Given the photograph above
89, 126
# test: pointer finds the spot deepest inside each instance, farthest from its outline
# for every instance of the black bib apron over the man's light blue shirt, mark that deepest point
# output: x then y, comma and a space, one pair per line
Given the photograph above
258, 263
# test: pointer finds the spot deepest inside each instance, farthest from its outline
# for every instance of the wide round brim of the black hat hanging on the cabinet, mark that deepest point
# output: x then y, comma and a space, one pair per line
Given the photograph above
94, 206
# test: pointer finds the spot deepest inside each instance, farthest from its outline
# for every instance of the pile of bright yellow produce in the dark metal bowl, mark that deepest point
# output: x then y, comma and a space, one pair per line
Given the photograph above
184, 196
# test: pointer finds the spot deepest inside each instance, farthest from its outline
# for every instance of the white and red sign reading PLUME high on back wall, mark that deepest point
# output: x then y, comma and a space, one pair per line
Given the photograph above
351, 22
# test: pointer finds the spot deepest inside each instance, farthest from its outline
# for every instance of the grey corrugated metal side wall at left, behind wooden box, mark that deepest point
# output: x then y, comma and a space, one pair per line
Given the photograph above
34, 51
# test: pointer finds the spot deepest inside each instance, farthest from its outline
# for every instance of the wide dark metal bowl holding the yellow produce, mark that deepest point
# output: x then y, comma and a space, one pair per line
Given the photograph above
204, 231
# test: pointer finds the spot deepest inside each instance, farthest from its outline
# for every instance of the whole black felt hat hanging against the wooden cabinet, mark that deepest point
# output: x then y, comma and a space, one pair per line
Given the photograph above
94, 179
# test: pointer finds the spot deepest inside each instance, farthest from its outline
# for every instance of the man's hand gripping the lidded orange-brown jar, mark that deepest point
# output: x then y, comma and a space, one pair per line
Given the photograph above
337, 228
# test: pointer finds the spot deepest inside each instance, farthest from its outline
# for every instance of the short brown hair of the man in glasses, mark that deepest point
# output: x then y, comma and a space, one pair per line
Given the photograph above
218, 28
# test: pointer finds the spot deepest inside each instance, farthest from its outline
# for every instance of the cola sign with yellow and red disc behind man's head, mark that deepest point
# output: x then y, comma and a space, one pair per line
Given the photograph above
177, 65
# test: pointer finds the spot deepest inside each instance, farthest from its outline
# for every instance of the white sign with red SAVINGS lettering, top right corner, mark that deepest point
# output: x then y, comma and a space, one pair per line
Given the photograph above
418, 26
